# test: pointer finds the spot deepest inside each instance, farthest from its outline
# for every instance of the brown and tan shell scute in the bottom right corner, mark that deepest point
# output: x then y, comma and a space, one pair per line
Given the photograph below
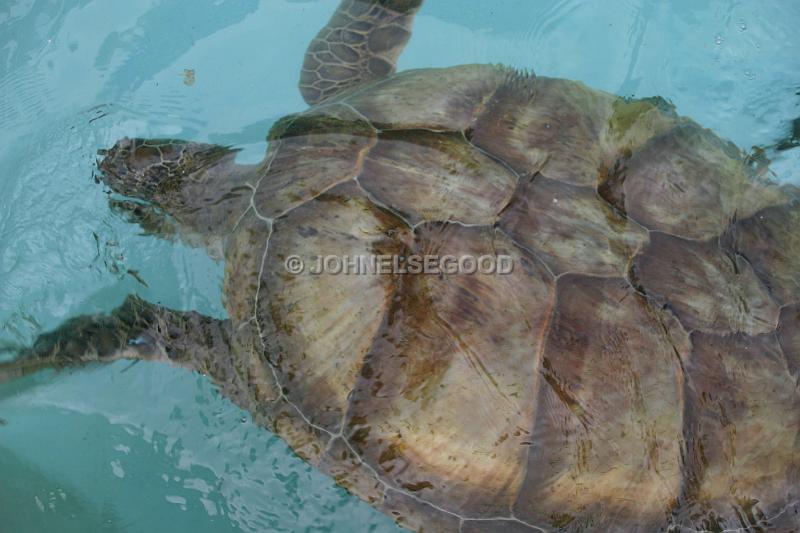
742, 426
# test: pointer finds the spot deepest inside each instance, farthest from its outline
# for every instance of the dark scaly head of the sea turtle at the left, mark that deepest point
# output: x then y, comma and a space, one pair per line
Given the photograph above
159, 169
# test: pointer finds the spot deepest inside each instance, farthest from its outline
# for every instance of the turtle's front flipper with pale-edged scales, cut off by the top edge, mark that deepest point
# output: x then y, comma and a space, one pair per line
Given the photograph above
361, 43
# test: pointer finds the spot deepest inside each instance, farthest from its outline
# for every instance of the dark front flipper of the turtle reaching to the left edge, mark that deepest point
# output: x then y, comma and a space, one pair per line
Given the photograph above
135, 330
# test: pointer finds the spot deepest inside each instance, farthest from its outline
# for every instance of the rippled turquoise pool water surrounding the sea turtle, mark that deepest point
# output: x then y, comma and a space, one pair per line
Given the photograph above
150, 448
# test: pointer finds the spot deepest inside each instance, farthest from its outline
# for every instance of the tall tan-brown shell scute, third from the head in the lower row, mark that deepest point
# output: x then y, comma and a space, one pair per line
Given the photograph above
608, 413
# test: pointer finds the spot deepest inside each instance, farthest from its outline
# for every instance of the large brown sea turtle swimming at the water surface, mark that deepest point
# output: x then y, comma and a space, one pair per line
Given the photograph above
637, 370
